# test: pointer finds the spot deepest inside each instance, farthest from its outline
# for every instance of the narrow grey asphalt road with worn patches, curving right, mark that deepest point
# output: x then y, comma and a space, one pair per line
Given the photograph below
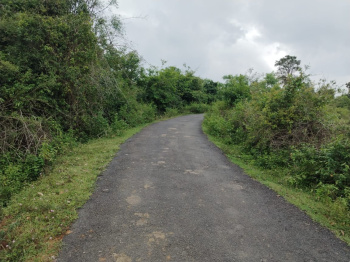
171, 195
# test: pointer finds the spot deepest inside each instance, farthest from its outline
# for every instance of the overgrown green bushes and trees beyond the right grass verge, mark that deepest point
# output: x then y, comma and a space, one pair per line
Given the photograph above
285, 124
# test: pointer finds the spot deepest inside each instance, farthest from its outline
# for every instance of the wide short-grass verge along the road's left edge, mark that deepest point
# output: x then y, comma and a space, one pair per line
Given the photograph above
36, 219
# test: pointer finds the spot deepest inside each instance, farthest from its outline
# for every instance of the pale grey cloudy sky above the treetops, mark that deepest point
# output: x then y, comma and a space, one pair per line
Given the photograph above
221, 37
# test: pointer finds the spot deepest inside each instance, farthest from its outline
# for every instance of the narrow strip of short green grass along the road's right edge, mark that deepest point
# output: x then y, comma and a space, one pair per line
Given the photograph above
333, 215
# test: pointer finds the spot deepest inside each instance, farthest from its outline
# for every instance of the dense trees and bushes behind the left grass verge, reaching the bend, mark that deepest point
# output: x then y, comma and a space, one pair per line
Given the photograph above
64, 80
